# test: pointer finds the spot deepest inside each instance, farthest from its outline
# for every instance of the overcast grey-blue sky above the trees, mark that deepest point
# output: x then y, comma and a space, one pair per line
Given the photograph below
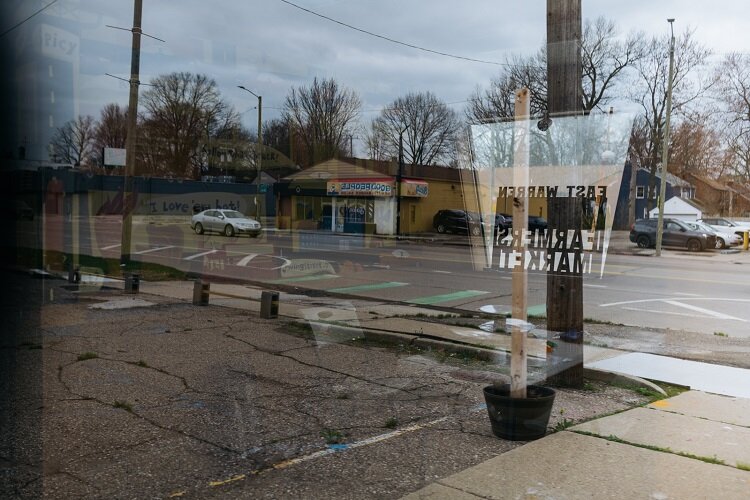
269, 46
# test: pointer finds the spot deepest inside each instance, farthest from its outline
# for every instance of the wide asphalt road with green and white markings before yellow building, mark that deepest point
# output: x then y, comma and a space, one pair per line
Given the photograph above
698, 295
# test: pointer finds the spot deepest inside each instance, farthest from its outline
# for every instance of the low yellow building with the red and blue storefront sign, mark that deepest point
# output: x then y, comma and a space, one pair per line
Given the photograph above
353, 195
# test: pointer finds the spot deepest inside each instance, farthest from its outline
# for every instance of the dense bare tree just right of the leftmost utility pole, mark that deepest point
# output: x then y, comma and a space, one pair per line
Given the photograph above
183, 114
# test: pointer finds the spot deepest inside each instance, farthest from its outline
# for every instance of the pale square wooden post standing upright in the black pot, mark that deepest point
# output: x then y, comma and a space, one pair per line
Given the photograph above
518, 370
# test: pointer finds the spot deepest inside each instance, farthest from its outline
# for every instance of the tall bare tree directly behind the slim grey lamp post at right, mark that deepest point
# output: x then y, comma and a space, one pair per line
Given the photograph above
651, 89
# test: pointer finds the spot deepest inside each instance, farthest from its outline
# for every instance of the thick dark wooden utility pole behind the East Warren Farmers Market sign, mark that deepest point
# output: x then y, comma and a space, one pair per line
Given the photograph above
564, 289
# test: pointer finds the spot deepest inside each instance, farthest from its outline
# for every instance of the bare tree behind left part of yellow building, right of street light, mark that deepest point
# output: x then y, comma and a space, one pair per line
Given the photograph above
323, 116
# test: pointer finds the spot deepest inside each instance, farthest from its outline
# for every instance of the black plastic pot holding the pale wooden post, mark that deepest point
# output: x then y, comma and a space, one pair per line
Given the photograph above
519, 419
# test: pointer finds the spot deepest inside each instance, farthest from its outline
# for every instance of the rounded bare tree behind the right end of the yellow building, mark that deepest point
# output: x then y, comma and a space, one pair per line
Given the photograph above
431, 133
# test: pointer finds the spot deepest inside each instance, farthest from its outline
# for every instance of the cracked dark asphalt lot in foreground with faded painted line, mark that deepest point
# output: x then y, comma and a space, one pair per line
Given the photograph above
200, 402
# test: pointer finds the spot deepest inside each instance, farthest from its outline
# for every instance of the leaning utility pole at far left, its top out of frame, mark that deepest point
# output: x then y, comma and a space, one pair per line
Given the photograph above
130, 142
